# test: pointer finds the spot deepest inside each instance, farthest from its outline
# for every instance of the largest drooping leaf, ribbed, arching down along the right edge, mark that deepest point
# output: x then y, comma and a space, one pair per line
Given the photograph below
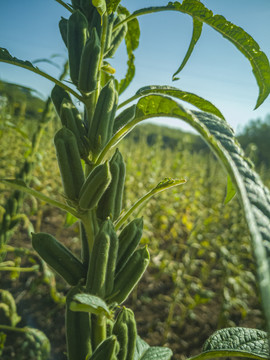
255, 197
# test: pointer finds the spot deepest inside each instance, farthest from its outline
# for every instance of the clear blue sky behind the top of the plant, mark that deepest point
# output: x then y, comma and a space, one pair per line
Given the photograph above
216, 70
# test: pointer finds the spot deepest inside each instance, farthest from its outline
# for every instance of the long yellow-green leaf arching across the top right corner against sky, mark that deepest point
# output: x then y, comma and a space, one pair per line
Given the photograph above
235, 34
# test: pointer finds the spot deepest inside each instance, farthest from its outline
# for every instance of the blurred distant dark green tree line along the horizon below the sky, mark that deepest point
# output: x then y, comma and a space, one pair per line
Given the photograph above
21, 101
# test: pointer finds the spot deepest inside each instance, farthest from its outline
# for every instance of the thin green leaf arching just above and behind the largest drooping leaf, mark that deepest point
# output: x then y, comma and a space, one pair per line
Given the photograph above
191, 98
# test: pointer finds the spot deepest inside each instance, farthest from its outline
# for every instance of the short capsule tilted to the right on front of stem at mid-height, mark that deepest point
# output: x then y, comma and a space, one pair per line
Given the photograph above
94, 186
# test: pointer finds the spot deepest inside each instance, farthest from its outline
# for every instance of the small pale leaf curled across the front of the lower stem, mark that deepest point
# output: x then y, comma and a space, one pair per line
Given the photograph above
89, 303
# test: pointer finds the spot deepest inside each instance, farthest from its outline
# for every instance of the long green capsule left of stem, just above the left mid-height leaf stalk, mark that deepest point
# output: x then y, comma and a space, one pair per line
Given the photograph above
69, 162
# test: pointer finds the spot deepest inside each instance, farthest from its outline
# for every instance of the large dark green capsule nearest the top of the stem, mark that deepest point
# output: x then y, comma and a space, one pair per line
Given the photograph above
77, 33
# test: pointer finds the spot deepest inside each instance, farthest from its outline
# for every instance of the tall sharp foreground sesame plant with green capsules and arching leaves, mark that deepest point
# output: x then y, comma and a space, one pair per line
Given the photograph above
92, 169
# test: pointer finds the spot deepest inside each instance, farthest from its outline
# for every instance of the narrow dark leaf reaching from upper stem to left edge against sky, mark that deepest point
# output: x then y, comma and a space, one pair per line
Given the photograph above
6, 57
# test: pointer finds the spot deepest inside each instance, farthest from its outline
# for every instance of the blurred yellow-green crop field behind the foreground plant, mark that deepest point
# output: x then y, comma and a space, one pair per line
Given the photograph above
201, 275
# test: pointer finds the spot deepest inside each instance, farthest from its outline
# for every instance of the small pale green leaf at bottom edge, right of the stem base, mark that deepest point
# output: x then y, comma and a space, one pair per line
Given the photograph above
144, 352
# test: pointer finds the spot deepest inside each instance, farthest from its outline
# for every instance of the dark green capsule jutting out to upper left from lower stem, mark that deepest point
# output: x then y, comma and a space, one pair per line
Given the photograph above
59, 257
